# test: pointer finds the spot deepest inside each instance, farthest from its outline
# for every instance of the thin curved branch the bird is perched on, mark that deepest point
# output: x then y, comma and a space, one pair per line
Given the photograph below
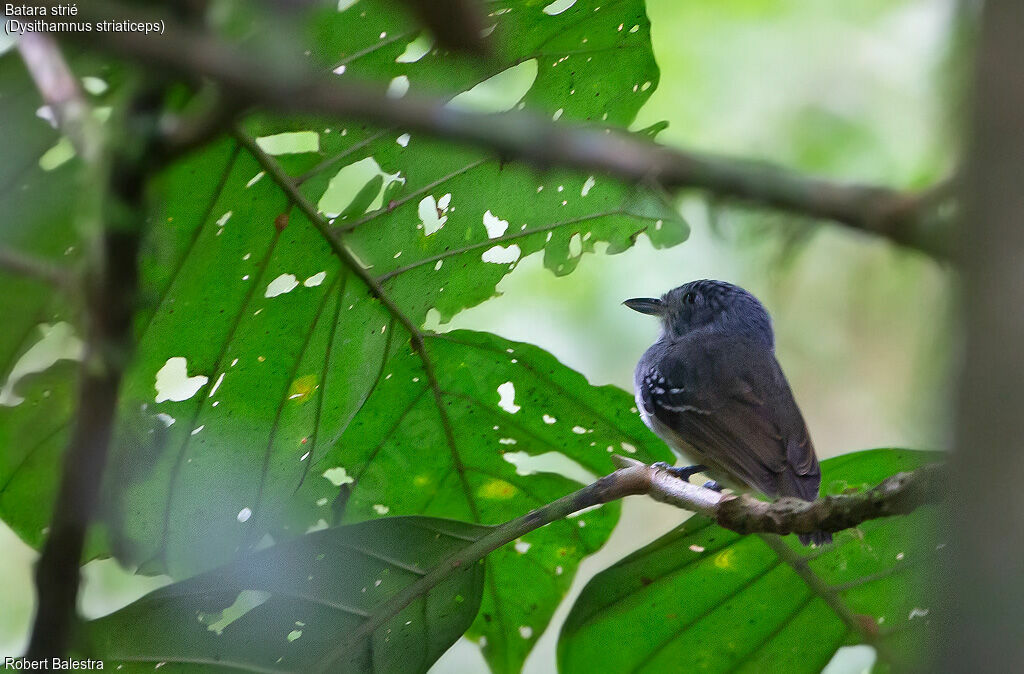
901, 494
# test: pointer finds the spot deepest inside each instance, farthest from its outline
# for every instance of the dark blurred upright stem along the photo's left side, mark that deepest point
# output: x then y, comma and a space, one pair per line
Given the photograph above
110, 298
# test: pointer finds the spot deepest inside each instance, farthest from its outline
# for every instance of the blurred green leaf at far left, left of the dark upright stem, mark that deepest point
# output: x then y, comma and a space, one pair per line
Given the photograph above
37, 343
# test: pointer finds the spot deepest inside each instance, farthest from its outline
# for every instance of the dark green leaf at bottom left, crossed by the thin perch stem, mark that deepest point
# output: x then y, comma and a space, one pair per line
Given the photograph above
287, 608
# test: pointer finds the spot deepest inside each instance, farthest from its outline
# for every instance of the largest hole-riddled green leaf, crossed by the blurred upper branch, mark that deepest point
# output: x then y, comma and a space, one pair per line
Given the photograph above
260, 348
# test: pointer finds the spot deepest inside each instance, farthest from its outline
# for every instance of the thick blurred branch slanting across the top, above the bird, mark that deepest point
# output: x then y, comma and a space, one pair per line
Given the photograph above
907, 219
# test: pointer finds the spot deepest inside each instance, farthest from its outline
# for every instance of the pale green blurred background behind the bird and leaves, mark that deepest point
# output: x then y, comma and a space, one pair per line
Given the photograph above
861, 92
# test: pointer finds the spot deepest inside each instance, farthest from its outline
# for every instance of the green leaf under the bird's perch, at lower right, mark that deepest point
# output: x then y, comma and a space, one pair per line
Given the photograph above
704, 599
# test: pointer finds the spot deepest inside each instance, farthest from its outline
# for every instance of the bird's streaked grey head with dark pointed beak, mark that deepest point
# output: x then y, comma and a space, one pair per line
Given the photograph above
714, 307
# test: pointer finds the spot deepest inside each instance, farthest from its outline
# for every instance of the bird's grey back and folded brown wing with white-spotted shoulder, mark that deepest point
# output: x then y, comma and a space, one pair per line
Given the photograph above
732, 404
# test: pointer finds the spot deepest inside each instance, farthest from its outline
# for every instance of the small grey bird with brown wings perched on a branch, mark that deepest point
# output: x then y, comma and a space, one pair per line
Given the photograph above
713, 391
